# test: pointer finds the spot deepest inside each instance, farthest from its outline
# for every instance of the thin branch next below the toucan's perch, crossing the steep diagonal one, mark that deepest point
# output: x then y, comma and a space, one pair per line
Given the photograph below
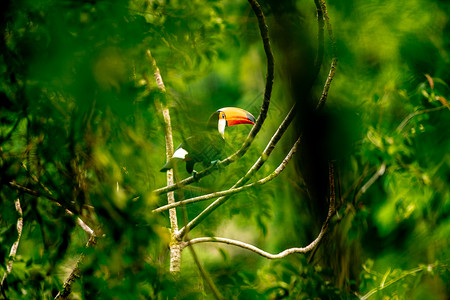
231, 191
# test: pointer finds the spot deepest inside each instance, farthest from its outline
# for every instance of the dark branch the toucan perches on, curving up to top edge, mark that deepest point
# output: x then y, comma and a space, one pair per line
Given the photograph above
261, 117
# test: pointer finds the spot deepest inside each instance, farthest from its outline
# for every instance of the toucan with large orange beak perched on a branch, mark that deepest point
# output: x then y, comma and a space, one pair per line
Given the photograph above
206, 147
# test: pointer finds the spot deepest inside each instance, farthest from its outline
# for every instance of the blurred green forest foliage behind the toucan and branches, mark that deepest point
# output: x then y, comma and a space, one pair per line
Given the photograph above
77, 109
